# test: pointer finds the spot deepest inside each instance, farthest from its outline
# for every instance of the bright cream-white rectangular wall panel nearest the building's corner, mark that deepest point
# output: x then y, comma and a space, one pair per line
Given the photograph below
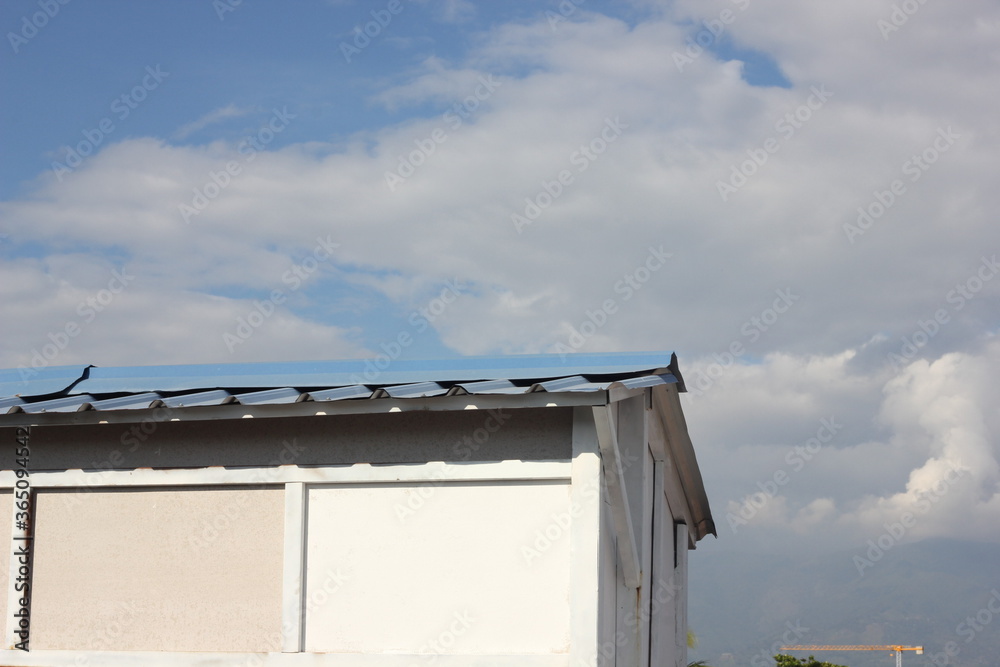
439, 569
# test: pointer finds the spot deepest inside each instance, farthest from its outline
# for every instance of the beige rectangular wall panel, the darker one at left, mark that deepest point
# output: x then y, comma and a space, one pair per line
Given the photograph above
143, 570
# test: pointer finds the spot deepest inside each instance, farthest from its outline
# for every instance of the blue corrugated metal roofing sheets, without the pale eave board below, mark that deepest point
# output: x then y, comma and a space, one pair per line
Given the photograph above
76, 388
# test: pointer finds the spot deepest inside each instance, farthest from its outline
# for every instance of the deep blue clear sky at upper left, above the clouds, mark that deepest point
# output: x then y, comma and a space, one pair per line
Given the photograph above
249, 57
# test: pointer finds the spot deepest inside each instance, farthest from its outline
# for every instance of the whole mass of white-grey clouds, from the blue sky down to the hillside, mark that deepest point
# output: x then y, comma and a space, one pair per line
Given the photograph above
654, 186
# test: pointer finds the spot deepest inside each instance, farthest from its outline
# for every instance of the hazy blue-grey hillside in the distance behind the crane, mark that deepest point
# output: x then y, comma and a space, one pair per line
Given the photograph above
741, 605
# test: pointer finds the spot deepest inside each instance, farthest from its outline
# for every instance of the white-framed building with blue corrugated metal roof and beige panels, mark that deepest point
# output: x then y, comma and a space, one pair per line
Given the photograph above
534, 511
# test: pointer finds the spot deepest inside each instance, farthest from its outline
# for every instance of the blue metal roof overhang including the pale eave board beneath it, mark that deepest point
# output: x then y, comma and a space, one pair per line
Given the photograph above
89, 394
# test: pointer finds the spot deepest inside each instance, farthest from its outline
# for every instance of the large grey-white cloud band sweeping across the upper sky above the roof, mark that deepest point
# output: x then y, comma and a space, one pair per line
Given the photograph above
650, 181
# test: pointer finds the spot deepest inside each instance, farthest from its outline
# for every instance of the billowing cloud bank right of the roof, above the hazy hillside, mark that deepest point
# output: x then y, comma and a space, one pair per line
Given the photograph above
838, 453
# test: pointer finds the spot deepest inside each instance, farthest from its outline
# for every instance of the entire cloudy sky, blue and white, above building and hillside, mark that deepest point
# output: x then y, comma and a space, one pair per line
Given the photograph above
799, 198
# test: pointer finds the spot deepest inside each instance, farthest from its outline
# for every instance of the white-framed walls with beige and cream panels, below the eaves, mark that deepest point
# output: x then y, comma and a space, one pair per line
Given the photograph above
484, 560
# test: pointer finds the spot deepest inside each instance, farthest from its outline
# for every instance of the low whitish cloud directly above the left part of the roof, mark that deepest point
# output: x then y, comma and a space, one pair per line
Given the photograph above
86, 312
